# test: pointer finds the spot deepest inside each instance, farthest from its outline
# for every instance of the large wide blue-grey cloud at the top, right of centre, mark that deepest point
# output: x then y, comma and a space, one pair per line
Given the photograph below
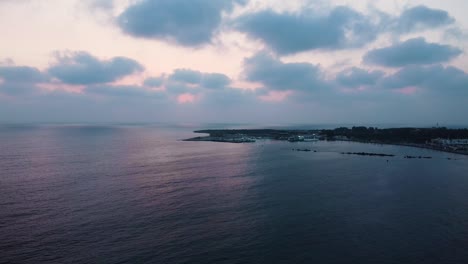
289, 33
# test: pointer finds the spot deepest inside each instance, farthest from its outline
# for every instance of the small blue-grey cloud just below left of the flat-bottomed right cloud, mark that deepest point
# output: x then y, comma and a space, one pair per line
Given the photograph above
356, 77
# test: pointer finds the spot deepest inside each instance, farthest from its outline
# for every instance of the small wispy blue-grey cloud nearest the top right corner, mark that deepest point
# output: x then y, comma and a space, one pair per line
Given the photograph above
421, 18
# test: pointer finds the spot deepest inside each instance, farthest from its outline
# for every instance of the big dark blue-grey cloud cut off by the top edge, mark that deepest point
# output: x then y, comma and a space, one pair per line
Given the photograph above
186, 22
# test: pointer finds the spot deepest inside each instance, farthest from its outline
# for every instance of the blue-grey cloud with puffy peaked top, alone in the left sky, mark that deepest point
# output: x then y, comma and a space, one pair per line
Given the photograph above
81, 68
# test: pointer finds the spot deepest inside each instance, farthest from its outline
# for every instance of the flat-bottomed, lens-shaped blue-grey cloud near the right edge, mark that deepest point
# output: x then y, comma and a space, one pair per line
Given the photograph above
413, 51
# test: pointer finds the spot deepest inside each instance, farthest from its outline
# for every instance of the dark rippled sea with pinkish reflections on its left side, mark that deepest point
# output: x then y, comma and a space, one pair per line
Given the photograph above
137, 194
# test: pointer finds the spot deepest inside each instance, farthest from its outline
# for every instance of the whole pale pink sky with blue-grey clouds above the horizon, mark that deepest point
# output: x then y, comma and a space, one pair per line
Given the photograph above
234, 61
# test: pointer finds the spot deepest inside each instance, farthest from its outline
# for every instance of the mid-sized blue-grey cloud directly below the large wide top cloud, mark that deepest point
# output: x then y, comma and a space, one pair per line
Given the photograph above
276, 75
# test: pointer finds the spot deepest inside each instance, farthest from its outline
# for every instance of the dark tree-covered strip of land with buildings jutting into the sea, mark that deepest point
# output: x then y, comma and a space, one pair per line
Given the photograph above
437, 138
